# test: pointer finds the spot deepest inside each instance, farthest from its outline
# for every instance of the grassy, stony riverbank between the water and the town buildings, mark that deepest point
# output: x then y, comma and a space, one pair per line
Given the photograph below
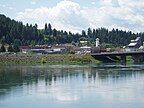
46, 59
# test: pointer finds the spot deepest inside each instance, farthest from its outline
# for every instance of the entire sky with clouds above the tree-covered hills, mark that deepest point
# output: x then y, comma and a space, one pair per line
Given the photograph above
77, 15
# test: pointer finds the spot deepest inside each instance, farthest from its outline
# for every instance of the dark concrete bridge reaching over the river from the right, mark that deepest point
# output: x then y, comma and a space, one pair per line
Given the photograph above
137, 56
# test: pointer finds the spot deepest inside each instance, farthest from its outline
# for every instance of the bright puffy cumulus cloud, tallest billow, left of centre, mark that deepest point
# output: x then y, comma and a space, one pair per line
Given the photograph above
66, 15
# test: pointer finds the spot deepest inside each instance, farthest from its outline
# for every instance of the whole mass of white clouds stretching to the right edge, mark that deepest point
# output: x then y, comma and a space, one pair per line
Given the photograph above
70, 16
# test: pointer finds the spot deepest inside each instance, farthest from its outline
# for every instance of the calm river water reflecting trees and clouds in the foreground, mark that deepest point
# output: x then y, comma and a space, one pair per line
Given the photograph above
72, 86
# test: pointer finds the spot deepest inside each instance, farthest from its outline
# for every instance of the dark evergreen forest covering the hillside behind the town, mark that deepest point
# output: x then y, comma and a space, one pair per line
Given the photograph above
16, 33
